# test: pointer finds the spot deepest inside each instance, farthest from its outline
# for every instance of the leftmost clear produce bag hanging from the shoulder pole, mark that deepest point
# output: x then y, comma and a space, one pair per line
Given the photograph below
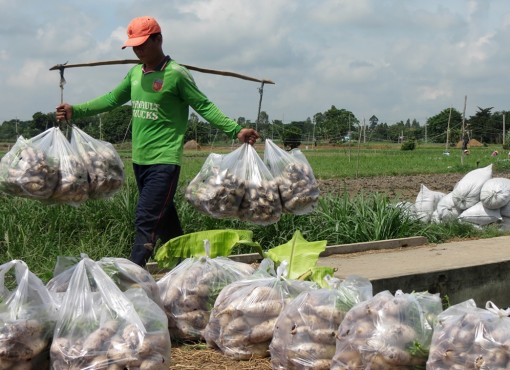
26, 171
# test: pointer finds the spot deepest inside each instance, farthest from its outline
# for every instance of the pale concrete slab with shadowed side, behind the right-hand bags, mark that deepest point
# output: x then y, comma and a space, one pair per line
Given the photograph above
467, 269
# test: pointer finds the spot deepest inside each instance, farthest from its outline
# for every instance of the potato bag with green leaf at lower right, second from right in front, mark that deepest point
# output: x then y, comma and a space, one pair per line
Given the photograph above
387, 332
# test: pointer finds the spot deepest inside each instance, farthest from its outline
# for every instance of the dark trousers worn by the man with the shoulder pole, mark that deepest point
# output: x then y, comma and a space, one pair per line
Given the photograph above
156, 216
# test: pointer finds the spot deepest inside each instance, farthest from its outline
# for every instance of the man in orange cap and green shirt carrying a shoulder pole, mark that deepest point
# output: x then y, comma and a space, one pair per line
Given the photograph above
161, 92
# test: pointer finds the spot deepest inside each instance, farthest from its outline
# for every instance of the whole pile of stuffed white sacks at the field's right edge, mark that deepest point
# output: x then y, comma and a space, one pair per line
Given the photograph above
478, 198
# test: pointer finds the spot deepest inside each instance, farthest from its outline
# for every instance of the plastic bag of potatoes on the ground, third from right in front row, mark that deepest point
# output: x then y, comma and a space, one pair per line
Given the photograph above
305, 331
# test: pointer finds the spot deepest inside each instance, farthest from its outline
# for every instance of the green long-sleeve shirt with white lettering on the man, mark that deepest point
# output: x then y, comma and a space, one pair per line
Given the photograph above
160, 102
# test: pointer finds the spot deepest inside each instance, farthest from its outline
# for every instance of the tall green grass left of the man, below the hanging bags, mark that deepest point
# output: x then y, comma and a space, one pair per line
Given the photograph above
38, 233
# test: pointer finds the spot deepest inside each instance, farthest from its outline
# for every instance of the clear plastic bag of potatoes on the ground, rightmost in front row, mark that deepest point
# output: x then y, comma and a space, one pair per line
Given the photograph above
468, 337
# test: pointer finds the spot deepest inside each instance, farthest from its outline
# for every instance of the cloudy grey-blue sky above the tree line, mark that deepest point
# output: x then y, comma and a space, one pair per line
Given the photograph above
396, 59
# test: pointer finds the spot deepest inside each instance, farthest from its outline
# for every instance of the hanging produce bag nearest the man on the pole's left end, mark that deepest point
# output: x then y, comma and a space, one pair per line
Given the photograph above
104, 165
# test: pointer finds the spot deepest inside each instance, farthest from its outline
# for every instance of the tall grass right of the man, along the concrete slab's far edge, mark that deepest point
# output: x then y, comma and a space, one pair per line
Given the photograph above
339, 219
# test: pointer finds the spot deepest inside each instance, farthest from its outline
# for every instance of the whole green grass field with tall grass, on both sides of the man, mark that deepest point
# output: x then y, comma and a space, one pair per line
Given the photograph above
38, 233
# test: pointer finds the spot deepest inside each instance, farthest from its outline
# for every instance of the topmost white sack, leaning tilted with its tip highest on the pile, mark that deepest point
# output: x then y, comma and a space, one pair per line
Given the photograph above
466, 192
